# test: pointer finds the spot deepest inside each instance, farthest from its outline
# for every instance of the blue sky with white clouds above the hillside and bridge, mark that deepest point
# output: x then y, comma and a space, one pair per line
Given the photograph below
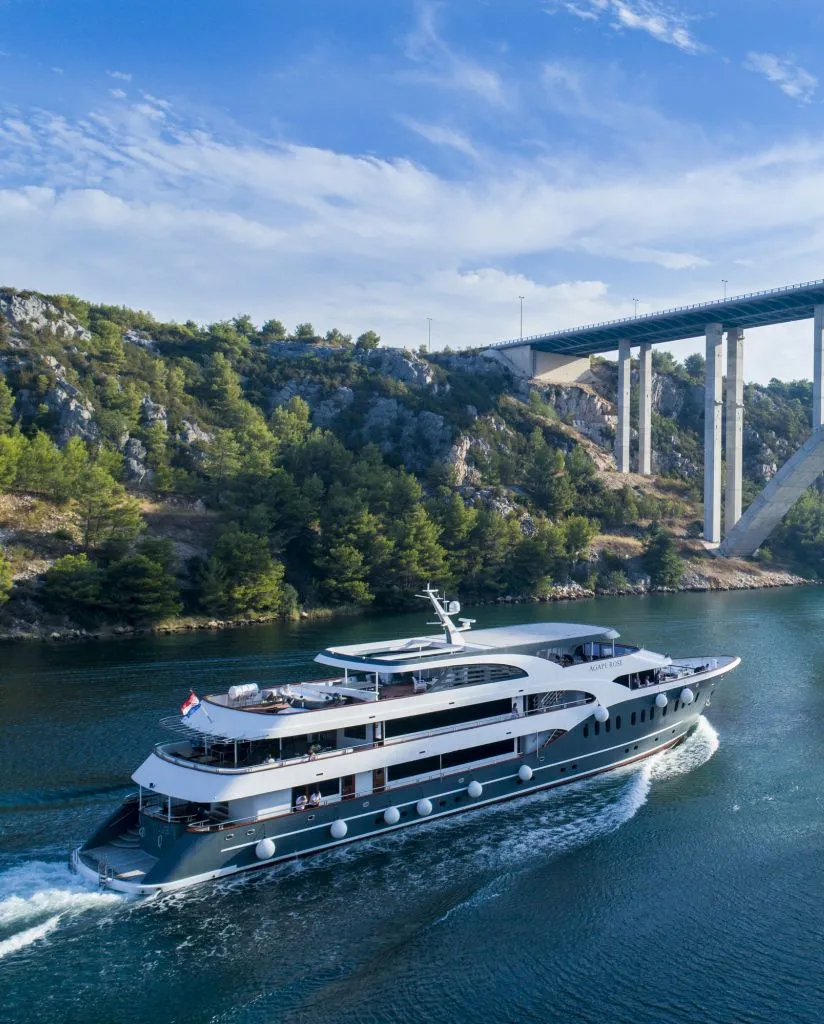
368, 164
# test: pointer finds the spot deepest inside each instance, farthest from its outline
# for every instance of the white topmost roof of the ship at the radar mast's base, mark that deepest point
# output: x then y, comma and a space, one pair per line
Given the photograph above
407, 655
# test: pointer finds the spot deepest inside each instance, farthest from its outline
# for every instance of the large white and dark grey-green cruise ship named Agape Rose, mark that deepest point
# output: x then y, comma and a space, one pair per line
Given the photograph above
405, 733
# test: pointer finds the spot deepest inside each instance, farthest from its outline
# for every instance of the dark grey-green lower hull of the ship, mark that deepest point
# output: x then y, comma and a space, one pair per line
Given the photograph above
182, 857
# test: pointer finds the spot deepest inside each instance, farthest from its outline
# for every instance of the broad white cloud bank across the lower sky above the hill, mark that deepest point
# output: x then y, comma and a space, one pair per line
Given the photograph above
123, 207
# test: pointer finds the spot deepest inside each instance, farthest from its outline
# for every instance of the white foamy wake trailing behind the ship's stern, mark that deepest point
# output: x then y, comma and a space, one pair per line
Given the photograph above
37, 897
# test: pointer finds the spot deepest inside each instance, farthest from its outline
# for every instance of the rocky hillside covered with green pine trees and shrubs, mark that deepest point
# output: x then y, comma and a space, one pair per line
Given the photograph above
151, 470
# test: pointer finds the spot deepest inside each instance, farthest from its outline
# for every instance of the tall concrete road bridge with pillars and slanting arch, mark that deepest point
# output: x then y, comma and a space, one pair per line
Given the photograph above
563, 358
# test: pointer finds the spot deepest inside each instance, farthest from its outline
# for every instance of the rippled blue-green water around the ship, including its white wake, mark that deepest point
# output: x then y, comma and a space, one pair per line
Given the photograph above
689, 888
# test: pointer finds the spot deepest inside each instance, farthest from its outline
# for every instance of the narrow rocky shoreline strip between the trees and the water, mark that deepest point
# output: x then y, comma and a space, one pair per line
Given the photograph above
696, 581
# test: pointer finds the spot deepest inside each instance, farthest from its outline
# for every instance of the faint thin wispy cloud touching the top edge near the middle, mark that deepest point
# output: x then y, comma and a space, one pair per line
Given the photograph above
443, 66
